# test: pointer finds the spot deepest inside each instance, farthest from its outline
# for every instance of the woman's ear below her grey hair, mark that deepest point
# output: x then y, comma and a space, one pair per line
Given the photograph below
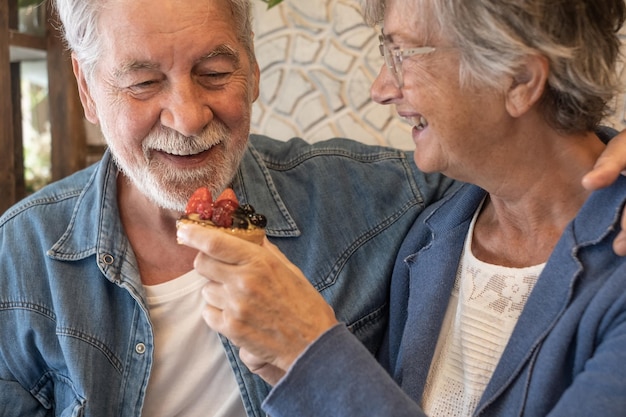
528, 85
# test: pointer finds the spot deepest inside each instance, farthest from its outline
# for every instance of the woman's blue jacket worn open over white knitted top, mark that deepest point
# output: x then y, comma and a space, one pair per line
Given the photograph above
566, 356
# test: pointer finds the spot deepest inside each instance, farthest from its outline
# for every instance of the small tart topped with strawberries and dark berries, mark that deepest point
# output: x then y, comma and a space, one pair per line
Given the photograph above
225, 214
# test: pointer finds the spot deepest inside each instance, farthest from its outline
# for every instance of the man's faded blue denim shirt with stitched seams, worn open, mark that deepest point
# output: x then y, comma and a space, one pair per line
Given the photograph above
75, 331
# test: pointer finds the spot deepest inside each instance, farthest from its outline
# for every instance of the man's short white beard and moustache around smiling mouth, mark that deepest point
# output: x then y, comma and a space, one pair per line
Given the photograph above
169, 187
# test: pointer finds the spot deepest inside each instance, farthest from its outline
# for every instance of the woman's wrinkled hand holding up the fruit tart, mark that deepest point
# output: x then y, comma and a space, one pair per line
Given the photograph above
258, 299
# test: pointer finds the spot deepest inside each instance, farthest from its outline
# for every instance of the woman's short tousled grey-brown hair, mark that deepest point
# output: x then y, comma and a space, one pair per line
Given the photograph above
578, 38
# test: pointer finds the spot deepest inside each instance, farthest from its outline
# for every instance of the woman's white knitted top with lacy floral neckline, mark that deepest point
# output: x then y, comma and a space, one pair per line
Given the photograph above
486, 302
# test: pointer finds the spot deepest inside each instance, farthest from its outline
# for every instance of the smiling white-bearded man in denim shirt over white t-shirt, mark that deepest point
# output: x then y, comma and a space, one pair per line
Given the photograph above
100, 308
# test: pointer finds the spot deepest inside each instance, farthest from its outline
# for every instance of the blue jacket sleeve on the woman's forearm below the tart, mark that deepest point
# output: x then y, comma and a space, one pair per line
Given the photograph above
336, 375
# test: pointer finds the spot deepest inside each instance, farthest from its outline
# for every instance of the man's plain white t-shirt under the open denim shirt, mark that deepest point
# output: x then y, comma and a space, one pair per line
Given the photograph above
191, 375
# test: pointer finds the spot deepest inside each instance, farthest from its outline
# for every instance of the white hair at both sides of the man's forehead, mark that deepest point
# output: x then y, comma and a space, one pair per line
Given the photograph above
79, 19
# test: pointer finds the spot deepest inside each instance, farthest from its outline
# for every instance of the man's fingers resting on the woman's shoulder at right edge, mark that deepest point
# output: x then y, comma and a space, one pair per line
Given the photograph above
606, 170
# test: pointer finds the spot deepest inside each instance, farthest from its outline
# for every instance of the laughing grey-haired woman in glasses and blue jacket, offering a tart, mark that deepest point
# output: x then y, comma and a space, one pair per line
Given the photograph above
507, 299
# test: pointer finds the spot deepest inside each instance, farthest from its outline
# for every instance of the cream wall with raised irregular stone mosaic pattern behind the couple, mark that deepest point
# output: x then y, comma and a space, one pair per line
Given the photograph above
317, 62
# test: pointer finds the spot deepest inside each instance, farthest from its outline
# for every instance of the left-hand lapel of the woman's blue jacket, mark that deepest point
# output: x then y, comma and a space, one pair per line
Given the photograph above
432, 272
